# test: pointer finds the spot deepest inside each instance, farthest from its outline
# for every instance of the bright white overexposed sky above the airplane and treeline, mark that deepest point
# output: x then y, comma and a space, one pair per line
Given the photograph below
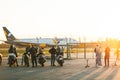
79, 19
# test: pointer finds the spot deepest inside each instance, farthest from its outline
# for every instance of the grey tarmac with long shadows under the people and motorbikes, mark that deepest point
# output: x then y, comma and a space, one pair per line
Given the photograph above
73, 69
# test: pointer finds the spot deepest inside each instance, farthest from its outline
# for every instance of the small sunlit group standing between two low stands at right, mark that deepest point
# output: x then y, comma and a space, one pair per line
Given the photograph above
98, 51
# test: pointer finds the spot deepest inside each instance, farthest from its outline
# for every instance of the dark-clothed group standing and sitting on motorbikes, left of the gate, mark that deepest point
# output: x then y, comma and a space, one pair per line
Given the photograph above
34, 52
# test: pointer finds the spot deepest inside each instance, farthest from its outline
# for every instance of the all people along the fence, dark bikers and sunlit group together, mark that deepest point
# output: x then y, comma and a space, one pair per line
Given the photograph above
33, 52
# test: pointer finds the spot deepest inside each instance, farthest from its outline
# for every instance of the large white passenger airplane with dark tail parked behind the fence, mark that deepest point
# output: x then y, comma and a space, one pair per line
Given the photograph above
43, 42
